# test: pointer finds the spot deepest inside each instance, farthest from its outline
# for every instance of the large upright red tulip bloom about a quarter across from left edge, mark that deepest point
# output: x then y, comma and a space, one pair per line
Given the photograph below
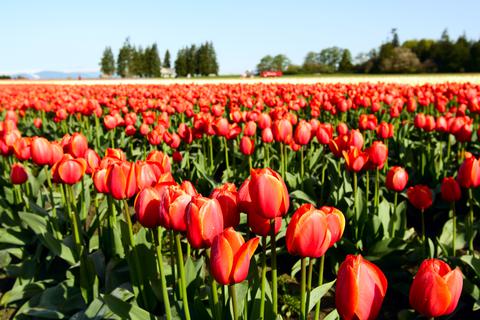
121, 180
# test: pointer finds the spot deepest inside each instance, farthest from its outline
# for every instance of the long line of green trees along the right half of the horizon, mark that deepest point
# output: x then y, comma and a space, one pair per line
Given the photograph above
412, 56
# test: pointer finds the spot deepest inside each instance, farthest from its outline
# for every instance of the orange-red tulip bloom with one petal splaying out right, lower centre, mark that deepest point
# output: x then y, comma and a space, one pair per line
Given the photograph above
230, 257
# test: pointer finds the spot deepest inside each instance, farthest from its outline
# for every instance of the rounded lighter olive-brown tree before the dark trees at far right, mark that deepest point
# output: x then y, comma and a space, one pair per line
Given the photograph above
401, 60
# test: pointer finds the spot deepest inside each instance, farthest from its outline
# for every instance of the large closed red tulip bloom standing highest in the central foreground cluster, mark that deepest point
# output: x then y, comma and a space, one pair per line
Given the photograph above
269, 193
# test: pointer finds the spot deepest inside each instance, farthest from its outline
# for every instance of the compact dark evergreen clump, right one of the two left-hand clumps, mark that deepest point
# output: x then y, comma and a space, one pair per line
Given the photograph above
197, 60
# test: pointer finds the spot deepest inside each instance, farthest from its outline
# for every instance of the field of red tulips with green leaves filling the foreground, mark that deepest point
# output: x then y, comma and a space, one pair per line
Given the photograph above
240, 201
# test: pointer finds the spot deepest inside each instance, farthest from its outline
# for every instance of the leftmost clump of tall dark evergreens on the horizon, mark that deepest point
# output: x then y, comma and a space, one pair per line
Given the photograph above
134, 61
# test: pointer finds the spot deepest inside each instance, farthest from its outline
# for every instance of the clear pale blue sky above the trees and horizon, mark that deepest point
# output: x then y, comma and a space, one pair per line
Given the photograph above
70, 36
